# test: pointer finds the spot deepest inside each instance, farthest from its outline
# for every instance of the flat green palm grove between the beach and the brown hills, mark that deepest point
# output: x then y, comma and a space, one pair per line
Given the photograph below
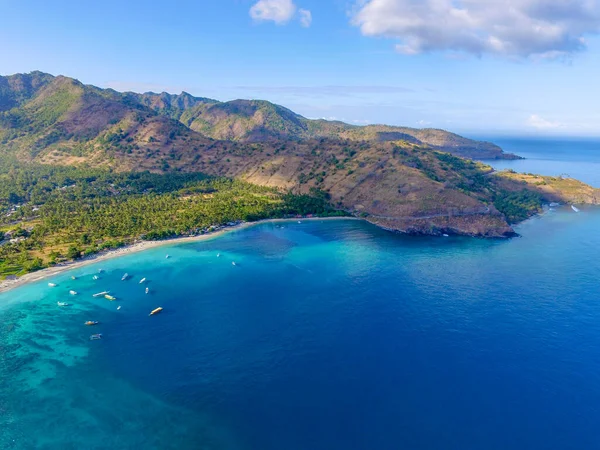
52, 214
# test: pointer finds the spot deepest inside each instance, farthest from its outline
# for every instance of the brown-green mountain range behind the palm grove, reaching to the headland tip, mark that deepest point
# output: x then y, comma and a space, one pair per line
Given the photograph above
399, 178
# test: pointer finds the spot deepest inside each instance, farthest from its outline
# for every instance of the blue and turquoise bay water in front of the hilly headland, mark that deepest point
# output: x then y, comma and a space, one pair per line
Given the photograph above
325, 335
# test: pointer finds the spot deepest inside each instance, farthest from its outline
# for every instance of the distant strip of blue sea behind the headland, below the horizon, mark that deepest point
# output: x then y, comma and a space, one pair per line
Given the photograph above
576, 157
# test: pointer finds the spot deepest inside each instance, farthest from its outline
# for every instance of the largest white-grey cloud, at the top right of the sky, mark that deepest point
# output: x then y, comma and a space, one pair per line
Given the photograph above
512, 28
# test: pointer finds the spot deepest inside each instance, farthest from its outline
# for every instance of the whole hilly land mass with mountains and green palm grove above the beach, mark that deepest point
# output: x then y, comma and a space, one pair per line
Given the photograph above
84, 169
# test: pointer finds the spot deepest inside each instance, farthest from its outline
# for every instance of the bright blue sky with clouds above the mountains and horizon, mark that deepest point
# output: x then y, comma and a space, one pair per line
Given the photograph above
471, 66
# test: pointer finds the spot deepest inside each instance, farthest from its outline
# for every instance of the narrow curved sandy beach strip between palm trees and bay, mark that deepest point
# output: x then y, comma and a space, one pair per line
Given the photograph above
140, 246
